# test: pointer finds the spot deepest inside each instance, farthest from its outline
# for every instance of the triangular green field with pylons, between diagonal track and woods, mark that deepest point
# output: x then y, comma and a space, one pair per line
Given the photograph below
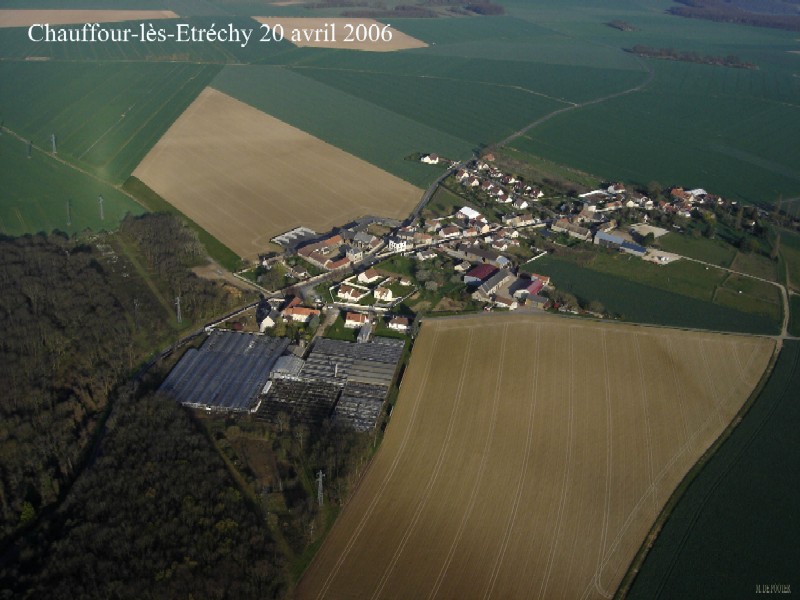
36, 192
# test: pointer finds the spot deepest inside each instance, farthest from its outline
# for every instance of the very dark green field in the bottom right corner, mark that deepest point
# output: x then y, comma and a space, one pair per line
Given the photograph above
736, 527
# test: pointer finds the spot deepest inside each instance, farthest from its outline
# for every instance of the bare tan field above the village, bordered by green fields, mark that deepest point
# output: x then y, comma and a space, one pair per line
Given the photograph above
245, 176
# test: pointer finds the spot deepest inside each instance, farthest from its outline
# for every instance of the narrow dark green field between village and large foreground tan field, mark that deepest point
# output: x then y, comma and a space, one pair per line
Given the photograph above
643, 303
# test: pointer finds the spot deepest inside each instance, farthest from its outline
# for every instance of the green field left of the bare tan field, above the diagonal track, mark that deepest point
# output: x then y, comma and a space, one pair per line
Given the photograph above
106, 116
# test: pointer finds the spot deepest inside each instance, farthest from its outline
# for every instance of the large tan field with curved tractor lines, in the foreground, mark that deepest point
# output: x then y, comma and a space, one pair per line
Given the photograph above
528, 457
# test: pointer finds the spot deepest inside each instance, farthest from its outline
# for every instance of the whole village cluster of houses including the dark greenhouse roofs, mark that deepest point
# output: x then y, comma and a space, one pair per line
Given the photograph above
328, 336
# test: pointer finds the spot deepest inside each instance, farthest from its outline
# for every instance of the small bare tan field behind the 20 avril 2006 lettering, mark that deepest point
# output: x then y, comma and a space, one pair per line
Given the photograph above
338, 29
